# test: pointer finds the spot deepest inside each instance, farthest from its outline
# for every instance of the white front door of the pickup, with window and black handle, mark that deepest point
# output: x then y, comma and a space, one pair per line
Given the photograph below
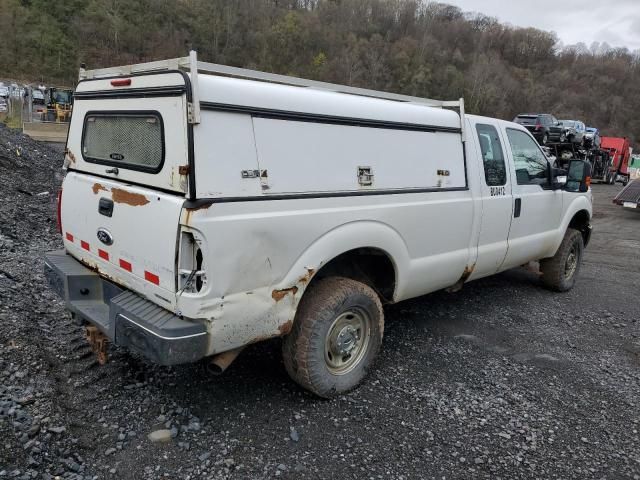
537, 209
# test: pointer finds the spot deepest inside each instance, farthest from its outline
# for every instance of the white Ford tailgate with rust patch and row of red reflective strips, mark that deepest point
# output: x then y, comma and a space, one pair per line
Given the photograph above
127, 233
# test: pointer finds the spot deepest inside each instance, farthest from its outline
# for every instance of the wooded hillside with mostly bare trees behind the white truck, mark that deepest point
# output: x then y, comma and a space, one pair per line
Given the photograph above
409, 46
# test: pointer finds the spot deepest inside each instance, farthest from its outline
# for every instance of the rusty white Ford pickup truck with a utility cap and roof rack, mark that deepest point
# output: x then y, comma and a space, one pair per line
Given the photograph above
206, 208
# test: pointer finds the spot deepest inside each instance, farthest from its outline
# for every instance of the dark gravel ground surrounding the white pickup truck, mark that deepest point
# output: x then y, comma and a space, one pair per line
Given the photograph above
501, 380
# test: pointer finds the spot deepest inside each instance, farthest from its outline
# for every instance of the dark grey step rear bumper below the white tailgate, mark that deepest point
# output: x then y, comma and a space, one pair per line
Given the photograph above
127, 319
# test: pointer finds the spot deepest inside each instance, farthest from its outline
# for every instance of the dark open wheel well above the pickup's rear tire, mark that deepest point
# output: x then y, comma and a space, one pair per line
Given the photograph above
371, 266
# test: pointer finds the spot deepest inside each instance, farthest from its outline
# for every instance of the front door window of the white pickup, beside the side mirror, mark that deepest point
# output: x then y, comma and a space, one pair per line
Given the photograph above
532, 167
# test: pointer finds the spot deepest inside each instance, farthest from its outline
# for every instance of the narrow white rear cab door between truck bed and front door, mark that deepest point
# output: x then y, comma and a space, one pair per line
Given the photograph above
496, 196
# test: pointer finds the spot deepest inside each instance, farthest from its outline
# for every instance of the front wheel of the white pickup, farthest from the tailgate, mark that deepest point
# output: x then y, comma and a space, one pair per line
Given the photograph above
559, 272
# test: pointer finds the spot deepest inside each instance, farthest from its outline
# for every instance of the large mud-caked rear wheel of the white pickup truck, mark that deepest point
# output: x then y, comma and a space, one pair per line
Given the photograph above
308, 351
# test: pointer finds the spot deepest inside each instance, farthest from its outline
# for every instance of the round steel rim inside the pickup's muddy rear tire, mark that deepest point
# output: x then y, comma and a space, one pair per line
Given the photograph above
347, 341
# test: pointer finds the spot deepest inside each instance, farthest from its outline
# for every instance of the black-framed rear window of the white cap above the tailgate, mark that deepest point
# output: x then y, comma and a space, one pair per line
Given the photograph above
133, 140
